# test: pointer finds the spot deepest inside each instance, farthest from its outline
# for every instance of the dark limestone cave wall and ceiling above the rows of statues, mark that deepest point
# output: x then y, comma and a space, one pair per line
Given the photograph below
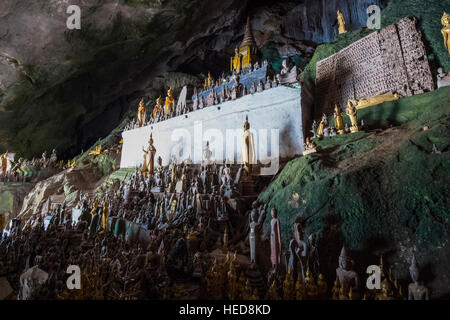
66, 88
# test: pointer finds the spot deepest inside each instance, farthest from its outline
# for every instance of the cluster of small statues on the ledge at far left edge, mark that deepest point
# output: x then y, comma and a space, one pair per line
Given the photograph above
26, 170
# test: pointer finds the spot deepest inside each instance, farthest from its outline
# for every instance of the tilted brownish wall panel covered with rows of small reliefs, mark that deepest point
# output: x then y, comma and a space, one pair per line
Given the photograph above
392, 59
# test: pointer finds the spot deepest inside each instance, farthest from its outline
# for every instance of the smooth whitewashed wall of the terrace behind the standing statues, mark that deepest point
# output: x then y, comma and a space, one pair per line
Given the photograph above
276, 110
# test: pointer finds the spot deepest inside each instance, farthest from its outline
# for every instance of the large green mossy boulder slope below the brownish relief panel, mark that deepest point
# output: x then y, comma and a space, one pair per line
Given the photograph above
381, 192
